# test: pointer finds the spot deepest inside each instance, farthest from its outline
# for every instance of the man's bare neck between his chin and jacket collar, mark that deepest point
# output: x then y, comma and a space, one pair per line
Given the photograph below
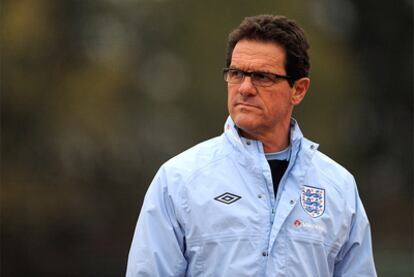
273, 141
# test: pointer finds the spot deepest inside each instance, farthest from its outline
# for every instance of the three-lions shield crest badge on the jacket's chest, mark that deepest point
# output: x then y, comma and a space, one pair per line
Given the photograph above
313, 200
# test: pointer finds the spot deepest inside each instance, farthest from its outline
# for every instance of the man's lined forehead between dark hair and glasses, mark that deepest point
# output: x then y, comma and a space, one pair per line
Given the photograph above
257, 55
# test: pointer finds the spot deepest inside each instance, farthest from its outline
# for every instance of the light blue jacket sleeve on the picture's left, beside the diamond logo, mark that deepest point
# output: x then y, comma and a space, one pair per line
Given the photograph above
158, 243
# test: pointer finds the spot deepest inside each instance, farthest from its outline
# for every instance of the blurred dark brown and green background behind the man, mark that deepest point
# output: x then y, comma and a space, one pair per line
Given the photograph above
96, 95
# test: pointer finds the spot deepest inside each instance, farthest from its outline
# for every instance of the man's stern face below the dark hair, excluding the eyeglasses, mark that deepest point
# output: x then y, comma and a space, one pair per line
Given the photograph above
258, 111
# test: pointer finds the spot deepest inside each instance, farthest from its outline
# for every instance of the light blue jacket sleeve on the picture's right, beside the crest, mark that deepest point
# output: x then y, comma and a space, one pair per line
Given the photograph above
355, 257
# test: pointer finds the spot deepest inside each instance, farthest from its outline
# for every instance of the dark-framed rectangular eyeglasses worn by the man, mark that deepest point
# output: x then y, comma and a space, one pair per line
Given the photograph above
260, 79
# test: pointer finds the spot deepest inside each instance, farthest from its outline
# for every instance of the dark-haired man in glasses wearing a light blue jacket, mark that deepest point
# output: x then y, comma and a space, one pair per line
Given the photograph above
260, 200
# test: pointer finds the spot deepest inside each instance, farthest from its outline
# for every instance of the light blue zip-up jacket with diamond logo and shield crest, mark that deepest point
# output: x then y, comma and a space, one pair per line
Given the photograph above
211, 211
